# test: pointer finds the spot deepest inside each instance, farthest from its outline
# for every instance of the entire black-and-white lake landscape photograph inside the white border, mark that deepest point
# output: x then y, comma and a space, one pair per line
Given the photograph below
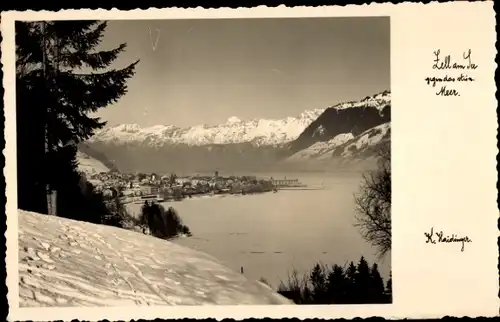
241, 161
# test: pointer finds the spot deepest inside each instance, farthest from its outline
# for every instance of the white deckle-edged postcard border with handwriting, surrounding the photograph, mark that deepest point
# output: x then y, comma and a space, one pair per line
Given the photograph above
436, 283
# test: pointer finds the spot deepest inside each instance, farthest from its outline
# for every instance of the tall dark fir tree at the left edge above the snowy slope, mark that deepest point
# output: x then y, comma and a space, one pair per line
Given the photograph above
60, 79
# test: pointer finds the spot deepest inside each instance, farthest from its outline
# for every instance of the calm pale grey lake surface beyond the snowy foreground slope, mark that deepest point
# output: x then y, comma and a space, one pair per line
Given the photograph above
270, 234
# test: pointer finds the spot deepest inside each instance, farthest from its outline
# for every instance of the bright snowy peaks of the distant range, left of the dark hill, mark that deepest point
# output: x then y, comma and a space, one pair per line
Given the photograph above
259, 132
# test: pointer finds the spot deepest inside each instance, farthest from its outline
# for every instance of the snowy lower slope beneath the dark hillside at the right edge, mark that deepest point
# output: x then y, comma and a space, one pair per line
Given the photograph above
346, 145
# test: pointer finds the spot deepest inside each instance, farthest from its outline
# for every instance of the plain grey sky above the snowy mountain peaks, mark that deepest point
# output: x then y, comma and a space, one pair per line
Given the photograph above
203, 71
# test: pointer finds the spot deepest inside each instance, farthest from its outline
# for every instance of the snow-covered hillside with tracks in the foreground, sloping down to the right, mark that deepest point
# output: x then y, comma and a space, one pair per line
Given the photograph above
70, 263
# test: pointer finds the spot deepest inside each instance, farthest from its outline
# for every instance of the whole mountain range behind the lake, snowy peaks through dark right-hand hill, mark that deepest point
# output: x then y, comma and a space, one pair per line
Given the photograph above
237, 145
